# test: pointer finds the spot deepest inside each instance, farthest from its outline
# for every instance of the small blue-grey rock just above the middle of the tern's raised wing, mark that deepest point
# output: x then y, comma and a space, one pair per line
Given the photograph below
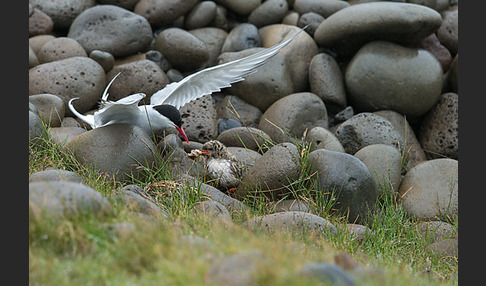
241, 37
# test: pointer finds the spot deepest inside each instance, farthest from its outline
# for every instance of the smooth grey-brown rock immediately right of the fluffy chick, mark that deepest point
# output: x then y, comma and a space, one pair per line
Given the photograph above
272, 173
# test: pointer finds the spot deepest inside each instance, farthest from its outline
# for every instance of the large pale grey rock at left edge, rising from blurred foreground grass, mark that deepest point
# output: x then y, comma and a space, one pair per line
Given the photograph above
59, 199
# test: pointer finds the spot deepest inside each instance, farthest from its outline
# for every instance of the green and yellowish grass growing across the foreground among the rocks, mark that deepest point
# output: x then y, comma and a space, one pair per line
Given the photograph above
87, 251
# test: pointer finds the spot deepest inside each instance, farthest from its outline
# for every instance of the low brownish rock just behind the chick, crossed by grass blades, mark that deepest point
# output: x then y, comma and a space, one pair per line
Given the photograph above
246, 137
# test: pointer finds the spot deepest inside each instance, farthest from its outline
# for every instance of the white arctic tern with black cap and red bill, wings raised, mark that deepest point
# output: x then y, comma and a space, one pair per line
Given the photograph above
163, 110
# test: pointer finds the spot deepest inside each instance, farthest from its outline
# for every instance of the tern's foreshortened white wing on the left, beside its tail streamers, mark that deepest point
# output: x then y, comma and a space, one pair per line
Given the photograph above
124, 110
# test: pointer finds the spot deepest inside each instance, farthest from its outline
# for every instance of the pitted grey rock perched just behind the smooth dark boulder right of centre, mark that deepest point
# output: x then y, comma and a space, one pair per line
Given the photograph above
365, 129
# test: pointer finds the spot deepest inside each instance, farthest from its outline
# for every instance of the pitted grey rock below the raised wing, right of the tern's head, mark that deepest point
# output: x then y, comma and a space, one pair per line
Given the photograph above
199, 119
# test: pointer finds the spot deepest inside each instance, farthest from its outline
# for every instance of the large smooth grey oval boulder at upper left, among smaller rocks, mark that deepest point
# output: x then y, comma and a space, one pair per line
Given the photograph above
111, 29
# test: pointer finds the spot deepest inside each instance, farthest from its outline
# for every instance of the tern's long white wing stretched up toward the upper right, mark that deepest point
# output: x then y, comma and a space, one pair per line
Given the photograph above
215, 78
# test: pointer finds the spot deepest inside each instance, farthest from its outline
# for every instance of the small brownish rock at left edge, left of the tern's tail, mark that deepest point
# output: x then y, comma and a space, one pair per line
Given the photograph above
50, 108
